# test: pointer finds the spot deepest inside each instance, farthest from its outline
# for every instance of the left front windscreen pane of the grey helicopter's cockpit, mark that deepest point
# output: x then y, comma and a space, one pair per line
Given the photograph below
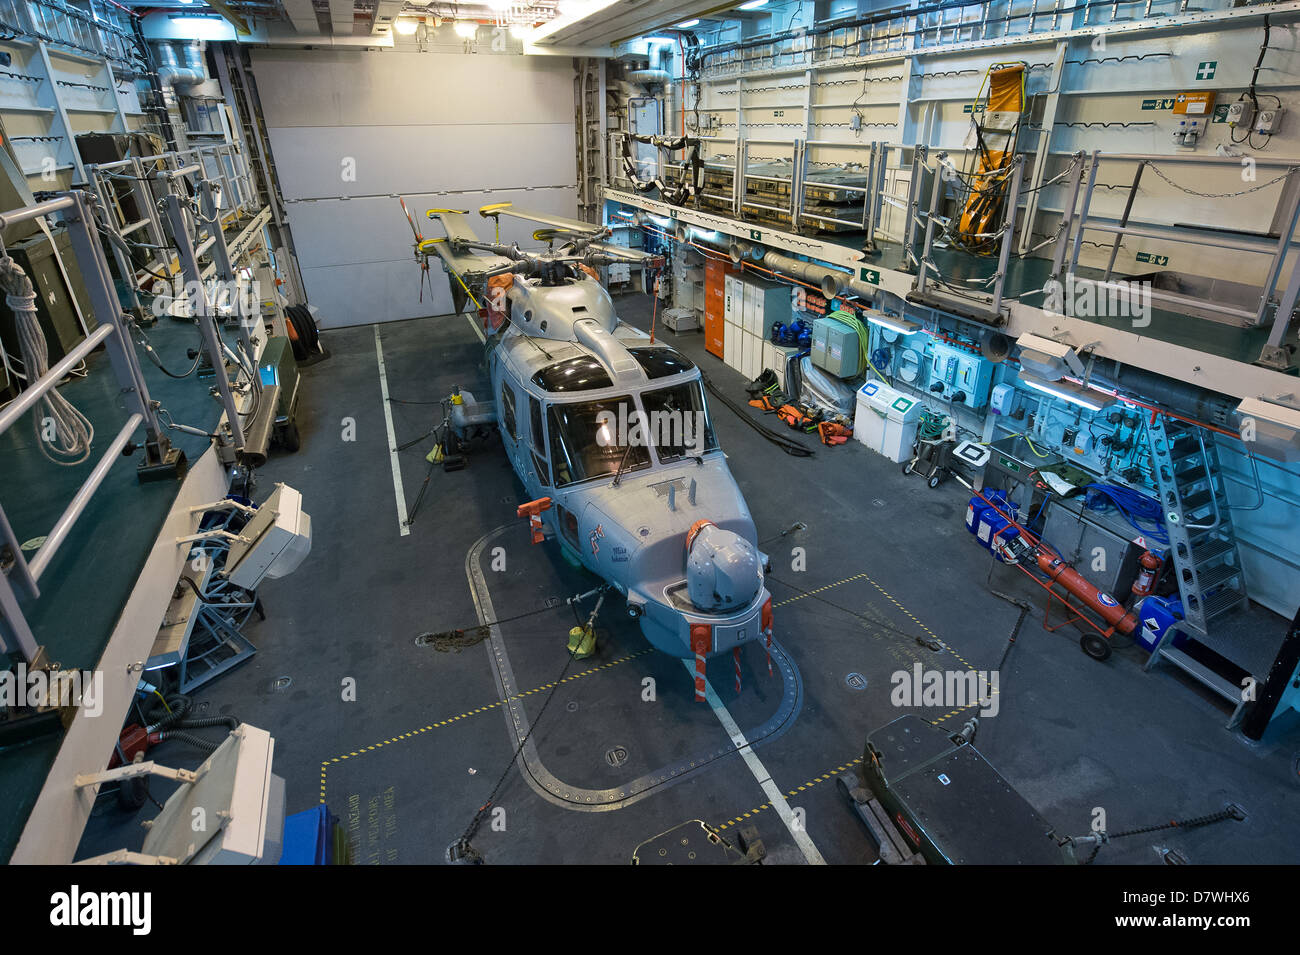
587, 444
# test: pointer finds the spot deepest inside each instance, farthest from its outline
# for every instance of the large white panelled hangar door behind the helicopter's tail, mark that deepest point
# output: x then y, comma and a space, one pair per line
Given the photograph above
352, 131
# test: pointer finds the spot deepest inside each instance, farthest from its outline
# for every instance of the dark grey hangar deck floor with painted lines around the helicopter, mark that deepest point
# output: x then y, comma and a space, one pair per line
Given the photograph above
408, 763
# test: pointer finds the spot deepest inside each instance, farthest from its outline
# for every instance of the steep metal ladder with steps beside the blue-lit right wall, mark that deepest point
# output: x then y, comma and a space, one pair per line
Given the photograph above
1203, 548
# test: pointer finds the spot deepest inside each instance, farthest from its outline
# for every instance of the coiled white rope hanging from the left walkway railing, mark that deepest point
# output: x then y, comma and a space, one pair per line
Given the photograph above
63, 433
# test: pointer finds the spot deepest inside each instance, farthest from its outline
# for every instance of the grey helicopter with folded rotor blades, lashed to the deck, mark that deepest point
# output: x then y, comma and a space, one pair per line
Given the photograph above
610, 435
